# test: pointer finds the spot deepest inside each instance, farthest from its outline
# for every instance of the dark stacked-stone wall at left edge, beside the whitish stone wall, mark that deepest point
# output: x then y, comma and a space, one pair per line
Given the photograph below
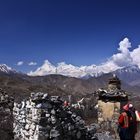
6, 116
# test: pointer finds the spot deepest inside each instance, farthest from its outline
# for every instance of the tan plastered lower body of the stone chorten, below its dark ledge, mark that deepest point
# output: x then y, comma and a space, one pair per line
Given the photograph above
108, 114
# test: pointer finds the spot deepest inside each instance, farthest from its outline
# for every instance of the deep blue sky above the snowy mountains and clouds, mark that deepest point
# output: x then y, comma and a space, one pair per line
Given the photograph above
75, 31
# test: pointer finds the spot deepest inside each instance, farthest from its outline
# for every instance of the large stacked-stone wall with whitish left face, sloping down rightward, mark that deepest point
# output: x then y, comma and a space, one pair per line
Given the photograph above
44, 117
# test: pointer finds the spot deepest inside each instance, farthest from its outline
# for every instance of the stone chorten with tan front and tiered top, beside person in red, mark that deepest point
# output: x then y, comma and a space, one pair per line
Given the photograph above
110, 102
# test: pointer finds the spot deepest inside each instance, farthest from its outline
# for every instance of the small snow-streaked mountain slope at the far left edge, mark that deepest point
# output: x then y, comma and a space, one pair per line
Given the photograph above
6, 69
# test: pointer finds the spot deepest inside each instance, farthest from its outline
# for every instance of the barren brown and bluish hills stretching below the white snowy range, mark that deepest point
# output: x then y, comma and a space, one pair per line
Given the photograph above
18, 83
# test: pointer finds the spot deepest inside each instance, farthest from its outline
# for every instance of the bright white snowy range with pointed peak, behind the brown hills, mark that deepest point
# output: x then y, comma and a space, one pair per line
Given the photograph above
70, 70
